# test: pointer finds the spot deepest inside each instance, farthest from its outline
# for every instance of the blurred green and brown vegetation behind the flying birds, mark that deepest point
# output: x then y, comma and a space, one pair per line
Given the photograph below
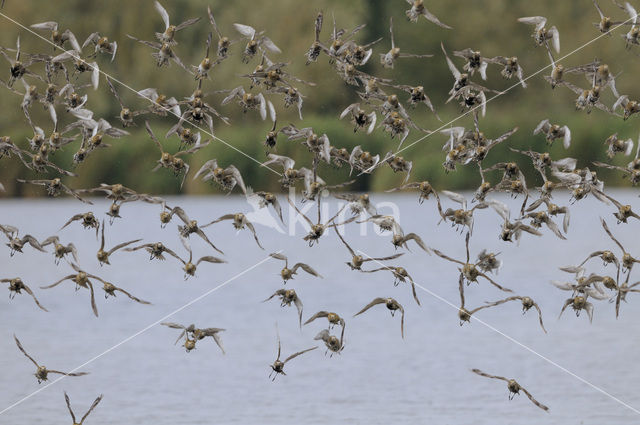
487, 25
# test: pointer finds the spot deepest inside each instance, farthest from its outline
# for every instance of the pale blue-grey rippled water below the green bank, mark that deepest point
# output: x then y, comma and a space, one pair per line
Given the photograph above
378, 378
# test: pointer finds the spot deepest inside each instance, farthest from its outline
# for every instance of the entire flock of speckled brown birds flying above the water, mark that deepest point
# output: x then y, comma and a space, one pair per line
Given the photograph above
58, 86
